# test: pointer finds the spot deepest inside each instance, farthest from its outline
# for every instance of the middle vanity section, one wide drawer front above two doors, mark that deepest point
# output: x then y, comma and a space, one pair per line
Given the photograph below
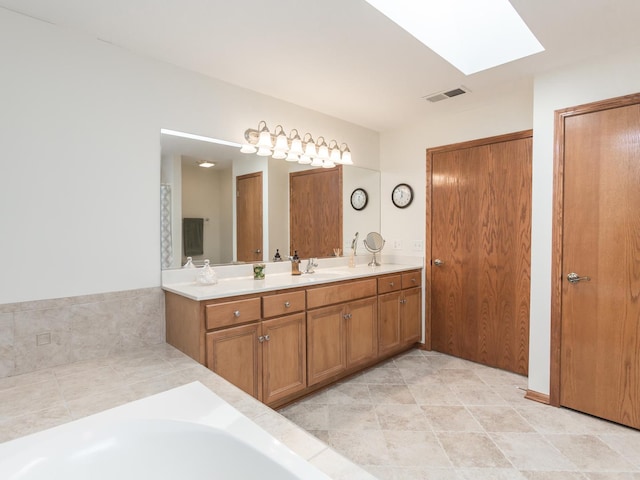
342, 336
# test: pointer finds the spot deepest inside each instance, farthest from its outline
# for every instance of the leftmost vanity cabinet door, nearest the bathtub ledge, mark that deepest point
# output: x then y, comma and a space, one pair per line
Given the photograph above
234, 354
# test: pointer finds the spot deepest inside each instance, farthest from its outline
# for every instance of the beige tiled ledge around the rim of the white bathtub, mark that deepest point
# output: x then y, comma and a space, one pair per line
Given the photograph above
46, 398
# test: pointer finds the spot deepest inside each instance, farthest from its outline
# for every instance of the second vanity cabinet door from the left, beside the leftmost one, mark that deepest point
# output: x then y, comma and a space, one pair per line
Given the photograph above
284, 355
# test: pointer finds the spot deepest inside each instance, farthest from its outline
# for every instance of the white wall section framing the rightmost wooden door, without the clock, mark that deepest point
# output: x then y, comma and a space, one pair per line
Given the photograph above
597, 79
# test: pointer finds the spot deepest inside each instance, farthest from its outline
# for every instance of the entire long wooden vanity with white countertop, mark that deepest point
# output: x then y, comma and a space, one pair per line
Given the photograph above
286, 336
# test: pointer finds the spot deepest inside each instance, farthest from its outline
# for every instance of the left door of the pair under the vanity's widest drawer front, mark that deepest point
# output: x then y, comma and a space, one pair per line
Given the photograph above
325, 343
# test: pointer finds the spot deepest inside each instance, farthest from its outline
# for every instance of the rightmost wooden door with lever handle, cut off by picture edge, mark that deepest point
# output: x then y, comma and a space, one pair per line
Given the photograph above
600, 326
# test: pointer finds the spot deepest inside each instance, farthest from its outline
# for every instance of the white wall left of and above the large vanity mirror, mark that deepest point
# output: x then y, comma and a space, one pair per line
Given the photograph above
80, 133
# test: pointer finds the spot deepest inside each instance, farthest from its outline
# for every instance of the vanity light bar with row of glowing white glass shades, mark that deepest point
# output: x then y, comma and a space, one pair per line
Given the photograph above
292, 148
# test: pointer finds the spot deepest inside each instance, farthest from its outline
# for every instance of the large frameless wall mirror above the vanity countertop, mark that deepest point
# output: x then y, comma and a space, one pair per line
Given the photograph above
199, 205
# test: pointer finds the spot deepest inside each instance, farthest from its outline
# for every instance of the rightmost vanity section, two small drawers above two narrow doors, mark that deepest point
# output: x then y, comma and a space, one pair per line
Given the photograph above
399, 324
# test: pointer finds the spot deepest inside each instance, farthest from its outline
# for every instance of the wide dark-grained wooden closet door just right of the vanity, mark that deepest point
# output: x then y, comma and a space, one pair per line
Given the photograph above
480, 237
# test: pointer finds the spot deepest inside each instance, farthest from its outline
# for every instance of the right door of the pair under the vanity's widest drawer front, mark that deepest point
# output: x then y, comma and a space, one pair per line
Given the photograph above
361, 331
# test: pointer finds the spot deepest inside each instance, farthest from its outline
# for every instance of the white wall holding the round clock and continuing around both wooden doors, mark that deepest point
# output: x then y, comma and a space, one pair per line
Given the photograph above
403, 160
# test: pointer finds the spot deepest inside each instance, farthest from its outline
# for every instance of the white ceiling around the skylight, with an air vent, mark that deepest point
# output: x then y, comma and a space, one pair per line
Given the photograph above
339, 57
